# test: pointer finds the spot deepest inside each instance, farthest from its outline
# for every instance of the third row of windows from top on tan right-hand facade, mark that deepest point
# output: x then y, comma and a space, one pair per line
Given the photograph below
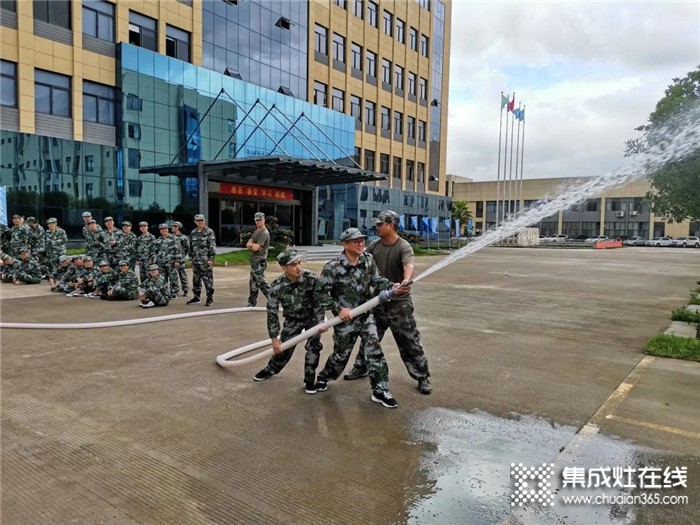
414, 128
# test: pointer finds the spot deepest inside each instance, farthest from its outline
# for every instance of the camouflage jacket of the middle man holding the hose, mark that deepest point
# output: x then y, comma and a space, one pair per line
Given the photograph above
342, 285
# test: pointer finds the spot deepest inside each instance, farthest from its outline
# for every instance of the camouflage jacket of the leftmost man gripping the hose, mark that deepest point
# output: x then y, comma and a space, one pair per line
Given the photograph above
297, 299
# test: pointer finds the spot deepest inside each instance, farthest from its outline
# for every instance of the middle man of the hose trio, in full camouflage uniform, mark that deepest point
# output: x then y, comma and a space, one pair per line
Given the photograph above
345, 283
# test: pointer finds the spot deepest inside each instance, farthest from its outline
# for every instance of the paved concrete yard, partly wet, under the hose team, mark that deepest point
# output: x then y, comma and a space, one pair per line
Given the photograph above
138, 425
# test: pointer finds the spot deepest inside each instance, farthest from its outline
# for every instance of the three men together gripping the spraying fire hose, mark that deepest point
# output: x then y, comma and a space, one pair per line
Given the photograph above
359, 273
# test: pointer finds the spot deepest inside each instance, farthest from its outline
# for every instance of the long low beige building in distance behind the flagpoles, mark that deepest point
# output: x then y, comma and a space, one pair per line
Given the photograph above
619, 212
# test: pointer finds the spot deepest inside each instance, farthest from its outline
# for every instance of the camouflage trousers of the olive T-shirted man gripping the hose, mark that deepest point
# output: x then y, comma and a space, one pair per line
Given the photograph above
398, 316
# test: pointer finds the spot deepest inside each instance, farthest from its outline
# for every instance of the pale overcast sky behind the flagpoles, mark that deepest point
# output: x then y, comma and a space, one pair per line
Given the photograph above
588, 73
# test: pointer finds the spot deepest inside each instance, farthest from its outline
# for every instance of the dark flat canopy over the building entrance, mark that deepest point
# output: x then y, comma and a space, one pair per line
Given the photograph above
280, 171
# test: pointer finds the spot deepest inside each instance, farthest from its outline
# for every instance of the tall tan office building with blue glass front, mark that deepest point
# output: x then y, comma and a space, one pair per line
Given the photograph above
147, 109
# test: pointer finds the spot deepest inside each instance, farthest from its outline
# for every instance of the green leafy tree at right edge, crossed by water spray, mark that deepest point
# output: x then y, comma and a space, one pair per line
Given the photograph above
675, 191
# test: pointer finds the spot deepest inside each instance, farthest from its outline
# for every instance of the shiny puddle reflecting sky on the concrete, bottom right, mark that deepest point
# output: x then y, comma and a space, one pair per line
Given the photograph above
469, 462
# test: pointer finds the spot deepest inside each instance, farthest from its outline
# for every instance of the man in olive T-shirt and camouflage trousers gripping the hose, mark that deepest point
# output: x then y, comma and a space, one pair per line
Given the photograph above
394, 257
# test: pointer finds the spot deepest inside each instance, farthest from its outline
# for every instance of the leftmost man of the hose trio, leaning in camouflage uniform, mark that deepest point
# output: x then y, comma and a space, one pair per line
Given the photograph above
294, 290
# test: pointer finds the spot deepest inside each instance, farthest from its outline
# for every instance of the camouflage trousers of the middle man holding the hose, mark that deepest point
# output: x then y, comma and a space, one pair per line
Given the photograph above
344, 337
